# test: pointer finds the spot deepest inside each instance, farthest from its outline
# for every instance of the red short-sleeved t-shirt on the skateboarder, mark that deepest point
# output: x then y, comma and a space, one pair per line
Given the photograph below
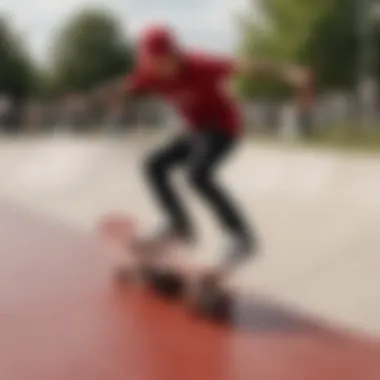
197, 93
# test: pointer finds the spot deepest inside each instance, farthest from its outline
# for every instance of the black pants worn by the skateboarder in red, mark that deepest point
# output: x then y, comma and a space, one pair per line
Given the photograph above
200, 155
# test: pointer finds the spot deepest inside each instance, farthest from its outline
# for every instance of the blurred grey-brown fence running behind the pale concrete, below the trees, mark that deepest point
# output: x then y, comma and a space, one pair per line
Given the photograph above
265, 116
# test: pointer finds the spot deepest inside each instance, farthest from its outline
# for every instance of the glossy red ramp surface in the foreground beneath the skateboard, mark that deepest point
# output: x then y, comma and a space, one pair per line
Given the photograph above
62, 318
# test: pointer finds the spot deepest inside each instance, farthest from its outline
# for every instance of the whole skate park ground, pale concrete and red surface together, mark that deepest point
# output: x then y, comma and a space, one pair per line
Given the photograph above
317, 213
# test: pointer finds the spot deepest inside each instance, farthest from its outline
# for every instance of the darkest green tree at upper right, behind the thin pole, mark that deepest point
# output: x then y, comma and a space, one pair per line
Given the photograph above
334, 48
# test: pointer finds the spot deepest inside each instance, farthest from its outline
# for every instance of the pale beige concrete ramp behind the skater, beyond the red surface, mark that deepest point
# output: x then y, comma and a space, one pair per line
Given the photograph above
317, 212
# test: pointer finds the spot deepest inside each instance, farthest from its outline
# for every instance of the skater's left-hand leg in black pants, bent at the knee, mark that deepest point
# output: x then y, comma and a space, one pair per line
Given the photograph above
158, 169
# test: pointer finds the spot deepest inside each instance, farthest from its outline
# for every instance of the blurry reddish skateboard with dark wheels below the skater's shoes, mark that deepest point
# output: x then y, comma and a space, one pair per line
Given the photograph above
197, 287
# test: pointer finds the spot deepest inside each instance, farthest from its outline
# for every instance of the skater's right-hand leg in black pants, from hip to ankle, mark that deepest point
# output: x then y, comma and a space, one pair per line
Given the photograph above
209, 150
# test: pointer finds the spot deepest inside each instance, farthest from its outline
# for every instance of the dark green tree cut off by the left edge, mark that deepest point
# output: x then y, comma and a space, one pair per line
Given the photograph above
17, 72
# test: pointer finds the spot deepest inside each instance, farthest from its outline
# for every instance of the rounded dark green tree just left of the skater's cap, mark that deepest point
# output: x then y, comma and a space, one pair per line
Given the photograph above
90, 48
